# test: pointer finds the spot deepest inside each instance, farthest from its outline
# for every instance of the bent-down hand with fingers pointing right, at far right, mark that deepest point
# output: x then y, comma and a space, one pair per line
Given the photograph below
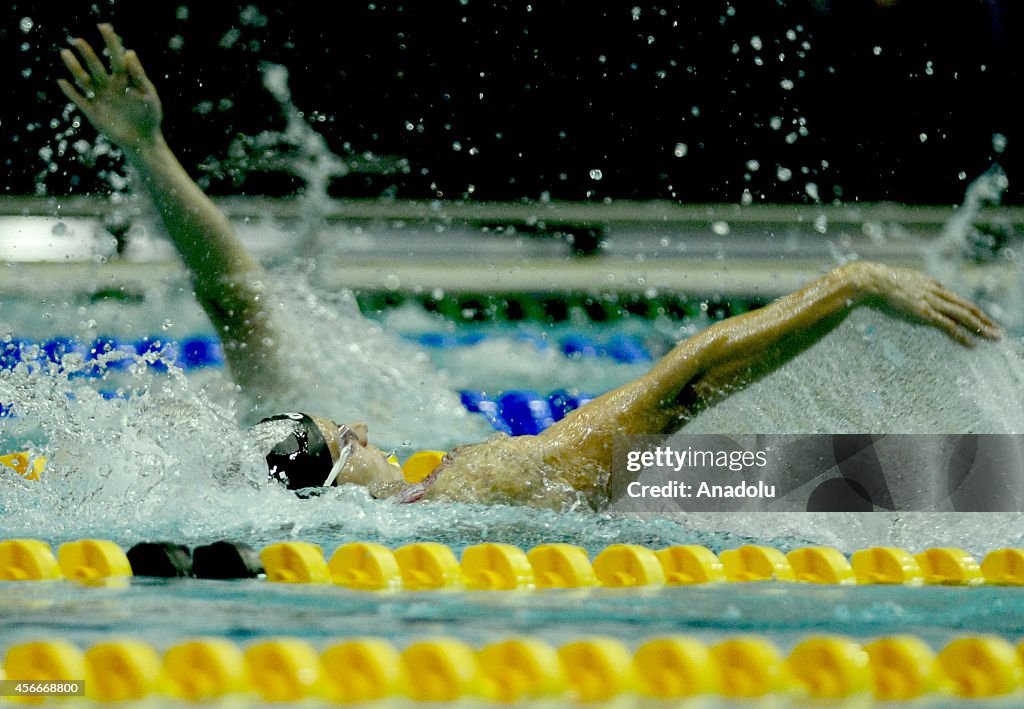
925, 299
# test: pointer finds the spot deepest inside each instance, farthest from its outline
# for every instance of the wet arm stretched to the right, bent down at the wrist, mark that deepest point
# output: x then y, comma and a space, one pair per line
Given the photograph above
733, 353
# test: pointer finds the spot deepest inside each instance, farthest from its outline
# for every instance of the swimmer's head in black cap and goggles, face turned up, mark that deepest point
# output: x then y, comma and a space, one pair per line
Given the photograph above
312, 452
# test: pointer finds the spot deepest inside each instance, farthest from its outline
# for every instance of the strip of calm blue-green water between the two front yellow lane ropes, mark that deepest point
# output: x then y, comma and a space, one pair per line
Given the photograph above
162, 612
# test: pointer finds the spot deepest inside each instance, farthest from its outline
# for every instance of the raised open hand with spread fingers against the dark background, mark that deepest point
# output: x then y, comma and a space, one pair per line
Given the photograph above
121, 104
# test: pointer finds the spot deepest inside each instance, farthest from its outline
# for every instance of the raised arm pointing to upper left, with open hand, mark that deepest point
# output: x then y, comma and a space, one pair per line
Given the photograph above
123, 105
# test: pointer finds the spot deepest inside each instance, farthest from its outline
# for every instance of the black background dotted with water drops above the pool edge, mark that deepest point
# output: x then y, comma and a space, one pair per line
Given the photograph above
500, 101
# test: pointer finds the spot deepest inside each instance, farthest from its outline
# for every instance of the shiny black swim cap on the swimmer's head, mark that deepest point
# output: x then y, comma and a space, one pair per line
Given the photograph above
303, 458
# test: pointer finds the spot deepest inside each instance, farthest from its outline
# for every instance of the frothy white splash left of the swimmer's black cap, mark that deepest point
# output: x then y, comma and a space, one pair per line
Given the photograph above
120, 463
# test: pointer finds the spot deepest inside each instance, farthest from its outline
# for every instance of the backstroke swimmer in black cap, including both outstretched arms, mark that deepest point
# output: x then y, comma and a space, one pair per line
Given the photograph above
568, 465
